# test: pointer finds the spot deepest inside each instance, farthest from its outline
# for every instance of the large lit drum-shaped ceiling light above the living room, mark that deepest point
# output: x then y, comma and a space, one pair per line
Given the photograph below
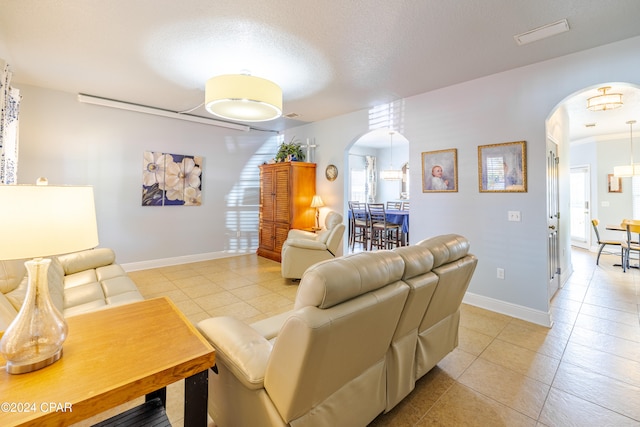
243, 97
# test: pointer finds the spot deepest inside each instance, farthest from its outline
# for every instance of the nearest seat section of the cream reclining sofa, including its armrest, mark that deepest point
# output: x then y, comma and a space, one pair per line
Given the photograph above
327, 366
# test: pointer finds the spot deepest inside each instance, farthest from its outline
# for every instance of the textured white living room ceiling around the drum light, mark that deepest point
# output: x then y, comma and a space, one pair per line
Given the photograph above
330, 57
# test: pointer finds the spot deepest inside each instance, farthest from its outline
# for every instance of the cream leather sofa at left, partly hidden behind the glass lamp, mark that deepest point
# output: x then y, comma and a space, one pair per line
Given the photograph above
78, 282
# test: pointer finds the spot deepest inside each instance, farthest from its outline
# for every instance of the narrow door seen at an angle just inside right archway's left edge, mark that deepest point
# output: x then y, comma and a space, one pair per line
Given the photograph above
553, 214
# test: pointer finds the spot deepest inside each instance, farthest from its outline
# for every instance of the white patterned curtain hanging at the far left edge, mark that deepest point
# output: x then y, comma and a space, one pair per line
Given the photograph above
9, 104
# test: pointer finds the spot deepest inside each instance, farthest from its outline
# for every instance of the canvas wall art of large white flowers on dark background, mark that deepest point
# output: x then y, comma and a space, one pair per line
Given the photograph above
171, 179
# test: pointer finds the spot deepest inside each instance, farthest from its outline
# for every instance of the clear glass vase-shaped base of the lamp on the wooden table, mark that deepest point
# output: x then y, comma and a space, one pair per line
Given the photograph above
34, 339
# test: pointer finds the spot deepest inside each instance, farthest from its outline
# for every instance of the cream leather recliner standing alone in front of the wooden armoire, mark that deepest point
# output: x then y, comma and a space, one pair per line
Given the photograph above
302, 248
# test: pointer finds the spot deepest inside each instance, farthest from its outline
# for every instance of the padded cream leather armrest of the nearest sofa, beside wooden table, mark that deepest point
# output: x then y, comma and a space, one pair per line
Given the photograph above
239, 347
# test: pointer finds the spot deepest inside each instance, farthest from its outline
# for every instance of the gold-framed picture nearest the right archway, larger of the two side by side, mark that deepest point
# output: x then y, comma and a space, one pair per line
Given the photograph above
502, 168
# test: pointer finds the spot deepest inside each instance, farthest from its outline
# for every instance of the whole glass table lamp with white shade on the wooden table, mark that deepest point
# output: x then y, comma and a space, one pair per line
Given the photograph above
37, 221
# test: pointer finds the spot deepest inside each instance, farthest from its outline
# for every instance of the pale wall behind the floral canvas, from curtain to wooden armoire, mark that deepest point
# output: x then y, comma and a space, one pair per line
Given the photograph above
74, 143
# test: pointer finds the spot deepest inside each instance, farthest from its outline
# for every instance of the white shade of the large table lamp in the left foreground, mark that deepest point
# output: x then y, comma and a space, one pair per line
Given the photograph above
44, 220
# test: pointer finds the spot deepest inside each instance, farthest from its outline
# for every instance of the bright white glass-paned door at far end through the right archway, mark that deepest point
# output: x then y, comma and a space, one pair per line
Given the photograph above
580, 206
